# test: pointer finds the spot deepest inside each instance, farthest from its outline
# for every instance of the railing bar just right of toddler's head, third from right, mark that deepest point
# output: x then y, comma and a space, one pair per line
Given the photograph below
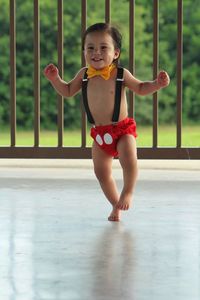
131, 53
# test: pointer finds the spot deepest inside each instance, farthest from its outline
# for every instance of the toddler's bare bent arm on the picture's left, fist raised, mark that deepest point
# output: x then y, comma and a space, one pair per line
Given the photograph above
65, 89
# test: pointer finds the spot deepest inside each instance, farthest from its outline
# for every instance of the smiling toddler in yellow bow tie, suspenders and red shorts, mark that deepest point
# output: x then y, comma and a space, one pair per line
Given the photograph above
103, 85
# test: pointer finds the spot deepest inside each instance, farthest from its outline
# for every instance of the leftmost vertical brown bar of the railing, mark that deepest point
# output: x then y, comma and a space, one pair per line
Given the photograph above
12, 73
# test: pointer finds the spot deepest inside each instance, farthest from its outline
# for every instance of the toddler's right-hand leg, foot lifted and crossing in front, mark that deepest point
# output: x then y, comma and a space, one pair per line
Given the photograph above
128, 159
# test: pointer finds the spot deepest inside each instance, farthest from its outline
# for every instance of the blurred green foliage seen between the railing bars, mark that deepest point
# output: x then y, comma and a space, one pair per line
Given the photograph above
72, 57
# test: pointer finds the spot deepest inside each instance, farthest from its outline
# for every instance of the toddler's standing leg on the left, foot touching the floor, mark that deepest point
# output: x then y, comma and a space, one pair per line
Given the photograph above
103, 171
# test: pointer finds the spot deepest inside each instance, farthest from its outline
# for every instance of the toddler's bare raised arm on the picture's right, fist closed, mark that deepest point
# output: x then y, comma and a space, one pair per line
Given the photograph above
146, 87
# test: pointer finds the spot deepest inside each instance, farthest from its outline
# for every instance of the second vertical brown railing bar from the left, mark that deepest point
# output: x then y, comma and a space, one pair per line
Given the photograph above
36, 73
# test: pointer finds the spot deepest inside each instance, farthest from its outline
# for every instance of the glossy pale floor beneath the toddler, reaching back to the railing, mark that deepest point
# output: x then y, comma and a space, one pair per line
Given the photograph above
56, 242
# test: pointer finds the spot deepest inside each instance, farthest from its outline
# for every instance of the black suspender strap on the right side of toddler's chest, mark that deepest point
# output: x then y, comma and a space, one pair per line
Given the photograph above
119, 80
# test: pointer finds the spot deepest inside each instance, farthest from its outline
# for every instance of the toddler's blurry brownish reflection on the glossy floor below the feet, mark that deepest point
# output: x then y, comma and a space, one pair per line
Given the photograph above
113, 266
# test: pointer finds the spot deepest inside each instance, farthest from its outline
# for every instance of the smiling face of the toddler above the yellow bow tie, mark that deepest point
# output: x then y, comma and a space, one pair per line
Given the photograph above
100, 50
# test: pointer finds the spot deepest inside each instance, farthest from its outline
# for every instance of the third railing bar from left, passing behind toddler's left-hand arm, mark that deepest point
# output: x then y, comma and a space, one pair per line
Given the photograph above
60, 68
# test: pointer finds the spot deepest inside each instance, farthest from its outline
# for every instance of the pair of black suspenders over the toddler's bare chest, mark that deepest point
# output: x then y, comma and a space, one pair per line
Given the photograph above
118, 87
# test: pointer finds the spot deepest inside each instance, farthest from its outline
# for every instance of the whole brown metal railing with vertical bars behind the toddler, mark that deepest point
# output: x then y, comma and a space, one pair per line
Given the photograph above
36, 151
